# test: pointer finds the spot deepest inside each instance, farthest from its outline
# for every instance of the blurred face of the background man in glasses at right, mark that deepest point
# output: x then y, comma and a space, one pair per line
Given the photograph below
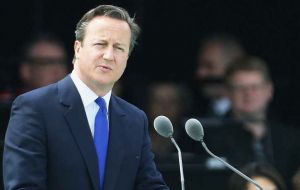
249, 92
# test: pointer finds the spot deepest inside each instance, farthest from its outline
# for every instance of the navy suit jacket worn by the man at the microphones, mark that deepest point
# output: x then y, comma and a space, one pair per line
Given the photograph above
49, 145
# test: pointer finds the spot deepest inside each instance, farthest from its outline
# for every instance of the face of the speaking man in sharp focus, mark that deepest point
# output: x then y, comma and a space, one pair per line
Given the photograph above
101, 57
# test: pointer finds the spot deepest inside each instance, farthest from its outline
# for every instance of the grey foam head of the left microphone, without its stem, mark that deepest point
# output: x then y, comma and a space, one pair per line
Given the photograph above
163, 126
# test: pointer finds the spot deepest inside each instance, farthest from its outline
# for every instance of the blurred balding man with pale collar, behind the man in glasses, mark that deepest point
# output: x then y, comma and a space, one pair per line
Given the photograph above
215, 54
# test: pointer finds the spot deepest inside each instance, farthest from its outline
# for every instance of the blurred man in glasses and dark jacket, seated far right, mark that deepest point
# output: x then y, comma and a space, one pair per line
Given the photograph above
249, 135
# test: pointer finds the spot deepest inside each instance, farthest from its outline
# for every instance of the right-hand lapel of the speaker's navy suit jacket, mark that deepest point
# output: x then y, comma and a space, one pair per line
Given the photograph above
117, 136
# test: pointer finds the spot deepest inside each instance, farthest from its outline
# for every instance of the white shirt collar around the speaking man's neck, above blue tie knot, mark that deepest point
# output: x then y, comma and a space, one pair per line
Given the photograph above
87, 95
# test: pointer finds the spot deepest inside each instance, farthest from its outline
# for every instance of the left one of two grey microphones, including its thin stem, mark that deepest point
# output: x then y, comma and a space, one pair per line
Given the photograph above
164, 127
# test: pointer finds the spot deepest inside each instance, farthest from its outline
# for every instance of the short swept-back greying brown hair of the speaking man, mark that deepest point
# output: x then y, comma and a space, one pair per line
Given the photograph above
112, 12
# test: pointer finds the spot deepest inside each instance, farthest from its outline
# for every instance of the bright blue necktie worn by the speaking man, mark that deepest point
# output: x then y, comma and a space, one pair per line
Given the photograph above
101, 137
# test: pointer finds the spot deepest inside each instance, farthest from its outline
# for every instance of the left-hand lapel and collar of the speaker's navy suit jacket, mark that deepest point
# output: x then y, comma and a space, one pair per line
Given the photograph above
77, 121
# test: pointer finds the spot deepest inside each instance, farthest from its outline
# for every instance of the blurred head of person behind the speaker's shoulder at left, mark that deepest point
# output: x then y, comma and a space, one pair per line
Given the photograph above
44, 62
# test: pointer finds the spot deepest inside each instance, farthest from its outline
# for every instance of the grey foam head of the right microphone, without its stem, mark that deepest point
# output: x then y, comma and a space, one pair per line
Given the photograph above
194, 129
